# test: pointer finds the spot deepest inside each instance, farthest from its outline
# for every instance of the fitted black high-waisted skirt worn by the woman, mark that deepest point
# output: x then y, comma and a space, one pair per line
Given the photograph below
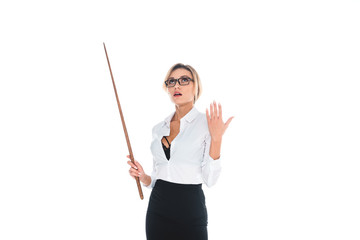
176, 212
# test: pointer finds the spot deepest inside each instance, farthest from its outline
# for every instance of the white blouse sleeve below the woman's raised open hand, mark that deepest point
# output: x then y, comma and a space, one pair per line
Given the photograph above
210, 168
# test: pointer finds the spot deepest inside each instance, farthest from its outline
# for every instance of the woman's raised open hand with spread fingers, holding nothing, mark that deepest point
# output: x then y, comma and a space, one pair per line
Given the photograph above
215, 122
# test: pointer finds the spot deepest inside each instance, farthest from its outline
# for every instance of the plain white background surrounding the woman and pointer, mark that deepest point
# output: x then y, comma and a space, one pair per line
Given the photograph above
287, 70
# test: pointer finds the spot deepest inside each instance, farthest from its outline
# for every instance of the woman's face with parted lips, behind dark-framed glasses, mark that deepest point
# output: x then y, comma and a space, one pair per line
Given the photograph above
187, 91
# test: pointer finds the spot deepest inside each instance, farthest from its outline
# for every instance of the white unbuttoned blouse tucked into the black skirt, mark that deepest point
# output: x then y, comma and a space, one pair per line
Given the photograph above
189, 162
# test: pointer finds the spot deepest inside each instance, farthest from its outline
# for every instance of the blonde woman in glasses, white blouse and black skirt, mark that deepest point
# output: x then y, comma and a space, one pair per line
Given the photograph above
186, 153
